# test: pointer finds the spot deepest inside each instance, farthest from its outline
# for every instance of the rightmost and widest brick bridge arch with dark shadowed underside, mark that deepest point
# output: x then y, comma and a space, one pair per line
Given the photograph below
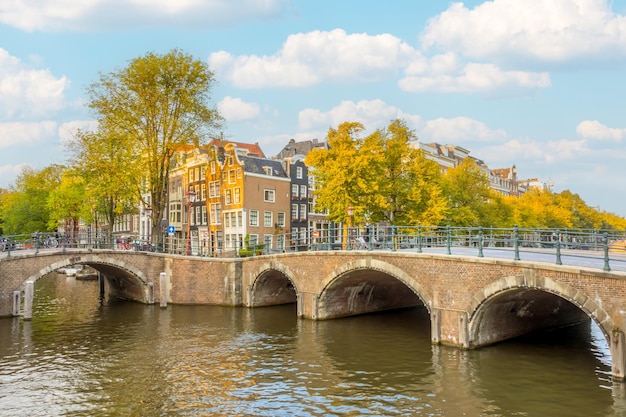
512, 306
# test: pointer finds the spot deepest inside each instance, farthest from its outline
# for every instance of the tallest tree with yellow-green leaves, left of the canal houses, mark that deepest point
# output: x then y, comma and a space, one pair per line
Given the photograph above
154, 106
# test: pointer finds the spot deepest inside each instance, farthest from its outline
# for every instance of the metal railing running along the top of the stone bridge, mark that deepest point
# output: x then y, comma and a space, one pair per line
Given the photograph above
593, 248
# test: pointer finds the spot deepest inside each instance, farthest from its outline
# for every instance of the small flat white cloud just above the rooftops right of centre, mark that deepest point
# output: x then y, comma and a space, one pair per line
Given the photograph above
459, 130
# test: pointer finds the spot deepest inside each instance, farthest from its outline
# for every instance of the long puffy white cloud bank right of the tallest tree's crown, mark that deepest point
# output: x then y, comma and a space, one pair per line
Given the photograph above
308, 59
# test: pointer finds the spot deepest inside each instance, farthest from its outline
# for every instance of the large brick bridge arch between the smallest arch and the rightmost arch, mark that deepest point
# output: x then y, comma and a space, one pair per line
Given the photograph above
368, 285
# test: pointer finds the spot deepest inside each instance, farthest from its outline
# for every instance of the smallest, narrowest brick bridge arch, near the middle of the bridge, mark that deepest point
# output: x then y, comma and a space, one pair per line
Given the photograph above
274, 285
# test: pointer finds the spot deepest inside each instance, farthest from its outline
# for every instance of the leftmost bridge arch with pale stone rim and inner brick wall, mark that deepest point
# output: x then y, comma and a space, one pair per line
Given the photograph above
123, 280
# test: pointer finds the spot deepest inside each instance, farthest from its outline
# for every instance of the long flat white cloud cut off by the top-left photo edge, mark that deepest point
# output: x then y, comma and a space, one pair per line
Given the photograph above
88, 15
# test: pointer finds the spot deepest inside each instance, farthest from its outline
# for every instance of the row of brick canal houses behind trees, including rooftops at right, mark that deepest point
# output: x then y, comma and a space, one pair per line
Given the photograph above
228, 195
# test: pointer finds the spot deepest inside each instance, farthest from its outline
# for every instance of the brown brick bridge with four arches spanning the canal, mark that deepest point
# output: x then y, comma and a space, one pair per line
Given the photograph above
472, 301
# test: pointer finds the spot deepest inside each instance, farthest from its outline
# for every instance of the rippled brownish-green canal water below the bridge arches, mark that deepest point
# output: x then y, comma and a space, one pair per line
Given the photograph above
81, 356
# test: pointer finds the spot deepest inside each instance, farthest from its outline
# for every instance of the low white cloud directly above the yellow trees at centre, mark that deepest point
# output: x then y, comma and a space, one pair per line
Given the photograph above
373, 114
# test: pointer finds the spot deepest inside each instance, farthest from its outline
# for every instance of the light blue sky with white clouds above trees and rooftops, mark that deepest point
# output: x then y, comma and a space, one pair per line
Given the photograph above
539, 85
